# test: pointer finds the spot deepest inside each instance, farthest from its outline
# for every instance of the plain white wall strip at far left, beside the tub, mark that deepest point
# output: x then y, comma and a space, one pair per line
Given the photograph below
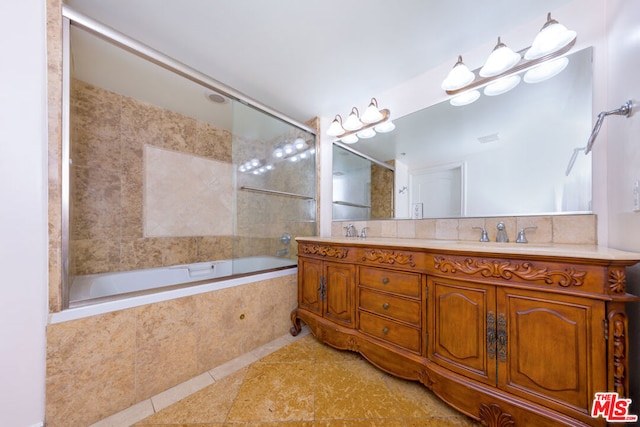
23, 213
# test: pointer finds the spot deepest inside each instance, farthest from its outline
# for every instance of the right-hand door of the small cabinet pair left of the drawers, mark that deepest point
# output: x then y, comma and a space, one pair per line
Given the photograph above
339, 293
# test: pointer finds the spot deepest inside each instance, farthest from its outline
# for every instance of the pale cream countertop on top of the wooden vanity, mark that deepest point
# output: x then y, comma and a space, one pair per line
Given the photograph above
522, 249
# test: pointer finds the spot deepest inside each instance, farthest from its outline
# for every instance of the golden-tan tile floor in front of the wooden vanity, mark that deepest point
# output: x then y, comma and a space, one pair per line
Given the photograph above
309, 384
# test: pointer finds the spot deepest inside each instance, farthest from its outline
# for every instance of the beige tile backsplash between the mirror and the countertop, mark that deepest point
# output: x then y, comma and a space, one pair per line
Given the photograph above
567, 229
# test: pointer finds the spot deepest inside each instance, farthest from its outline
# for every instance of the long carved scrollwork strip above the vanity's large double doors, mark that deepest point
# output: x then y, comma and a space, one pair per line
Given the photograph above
505, 270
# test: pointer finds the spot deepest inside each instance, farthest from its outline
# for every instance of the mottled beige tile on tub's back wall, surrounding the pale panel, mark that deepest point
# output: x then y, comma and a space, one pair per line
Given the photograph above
108, 134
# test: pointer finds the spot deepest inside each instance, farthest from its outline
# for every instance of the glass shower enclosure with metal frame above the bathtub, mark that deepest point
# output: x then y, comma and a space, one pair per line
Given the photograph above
167, 167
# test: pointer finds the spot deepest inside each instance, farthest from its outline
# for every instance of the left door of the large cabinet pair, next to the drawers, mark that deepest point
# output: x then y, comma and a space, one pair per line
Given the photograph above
462, 326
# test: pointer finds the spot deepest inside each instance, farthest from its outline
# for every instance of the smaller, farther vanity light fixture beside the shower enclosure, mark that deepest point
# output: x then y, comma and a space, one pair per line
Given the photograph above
373, 120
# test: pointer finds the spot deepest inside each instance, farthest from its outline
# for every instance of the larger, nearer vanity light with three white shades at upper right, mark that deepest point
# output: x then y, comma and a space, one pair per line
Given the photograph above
500, 72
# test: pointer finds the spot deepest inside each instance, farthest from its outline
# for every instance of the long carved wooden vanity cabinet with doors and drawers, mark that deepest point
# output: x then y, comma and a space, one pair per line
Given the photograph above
508, 340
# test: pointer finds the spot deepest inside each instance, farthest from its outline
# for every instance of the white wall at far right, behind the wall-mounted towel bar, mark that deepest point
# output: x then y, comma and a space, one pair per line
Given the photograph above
622, 136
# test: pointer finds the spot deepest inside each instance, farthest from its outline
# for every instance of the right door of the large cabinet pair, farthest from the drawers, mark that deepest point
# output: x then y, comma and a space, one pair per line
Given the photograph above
555, 348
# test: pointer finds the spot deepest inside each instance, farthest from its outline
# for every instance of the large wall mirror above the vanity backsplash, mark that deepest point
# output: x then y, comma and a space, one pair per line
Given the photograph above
502, 155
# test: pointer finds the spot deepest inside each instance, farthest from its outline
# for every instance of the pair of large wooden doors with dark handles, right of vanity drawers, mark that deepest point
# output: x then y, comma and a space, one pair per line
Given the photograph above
539, 346
